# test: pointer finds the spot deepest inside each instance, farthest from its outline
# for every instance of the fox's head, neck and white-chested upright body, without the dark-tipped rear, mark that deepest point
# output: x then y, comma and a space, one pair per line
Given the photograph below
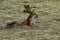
31, 18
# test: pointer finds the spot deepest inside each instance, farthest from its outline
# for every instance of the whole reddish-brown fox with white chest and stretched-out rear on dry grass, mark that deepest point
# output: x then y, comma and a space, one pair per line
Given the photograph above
28, 22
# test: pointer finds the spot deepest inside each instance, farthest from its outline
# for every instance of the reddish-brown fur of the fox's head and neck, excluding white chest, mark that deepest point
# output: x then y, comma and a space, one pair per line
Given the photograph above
28, 21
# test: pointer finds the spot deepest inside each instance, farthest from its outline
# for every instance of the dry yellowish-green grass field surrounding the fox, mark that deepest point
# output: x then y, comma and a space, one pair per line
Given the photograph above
48, 20
